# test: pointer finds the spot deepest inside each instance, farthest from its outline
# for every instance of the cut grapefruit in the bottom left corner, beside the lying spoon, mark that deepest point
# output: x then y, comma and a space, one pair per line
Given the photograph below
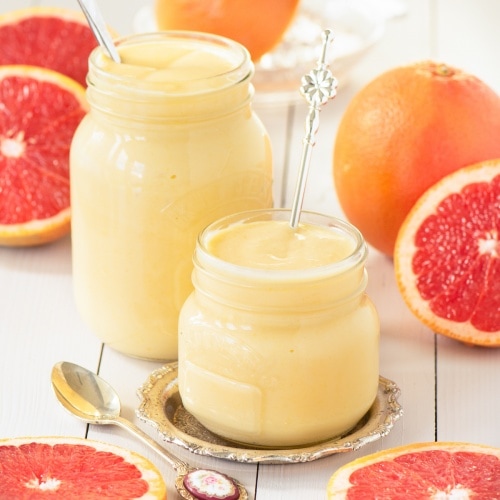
57, 467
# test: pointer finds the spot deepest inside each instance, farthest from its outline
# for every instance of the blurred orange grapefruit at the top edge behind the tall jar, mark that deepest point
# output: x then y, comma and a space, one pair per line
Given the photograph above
259, 25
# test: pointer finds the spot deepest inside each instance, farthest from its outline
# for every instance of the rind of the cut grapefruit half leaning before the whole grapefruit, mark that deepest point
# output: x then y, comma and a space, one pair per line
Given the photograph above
405, 250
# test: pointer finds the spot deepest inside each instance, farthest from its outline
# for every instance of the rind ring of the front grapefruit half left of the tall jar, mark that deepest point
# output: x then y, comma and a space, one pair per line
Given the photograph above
40, 231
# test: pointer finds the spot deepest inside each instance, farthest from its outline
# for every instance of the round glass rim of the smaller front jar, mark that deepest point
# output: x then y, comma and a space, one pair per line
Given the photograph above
357, 257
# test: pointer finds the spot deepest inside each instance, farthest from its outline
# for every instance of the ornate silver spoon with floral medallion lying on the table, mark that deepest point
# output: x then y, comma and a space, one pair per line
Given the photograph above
91, 399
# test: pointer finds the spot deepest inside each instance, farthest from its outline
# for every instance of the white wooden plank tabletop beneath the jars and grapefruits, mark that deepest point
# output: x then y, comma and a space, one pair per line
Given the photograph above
449, 391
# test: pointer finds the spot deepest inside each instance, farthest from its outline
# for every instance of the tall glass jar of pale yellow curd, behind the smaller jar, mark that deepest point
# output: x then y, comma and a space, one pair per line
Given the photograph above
170, 144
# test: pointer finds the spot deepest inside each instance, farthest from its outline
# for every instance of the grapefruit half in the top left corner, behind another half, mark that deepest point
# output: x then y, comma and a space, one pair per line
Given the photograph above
51, 37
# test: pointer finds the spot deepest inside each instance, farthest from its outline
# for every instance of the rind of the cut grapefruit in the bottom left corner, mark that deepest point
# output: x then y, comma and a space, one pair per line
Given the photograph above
149, 472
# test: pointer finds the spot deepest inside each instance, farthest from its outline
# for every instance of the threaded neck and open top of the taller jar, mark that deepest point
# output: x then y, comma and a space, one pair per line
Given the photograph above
171, 75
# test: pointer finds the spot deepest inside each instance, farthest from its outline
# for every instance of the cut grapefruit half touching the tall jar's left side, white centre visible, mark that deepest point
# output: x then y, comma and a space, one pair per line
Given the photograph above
39, 112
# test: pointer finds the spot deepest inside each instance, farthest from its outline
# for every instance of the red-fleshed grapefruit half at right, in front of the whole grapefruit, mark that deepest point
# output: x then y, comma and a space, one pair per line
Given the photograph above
447, 255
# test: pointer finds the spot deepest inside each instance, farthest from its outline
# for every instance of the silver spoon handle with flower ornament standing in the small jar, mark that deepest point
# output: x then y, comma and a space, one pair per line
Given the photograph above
318, 87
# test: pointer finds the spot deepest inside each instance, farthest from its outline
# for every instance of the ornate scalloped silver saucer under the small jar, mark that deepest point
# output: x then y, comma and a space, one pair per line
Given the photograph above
161, 407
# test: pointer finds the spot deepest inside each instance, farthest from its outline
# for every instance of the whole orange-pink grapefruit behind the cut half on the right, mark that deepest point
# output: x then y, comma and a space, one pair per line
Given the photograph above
403, 132
